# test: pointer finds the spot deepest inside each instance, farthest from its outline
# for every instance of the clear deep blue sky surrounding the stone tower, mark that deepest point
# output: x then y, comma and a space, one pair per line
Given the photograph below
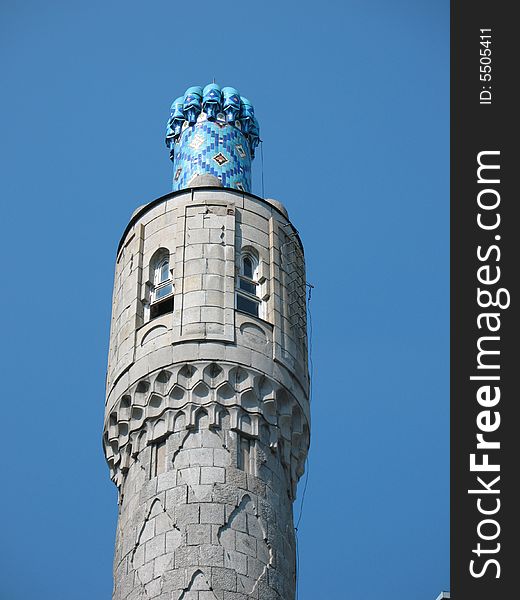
361, 161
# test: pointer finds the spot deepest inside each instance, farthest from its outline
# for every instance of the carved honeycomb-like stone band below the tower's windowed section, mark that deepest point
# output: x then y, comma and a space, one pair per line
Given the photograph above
149, 410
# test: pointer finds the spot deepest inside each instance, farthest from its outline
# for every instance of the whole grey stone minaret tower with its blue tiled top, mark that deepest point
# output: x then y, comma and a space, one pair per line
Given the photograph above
207, 411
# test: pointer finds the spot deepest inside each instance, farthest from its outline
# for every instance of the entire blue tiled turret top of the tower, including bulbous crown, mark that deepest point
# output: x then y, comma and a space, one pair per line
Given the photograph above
212, 131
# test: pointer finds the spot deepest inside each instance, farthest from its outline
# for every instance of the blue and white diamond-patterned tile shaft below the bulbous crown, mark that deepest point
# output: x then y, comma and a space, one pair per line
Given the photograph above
210, 147
